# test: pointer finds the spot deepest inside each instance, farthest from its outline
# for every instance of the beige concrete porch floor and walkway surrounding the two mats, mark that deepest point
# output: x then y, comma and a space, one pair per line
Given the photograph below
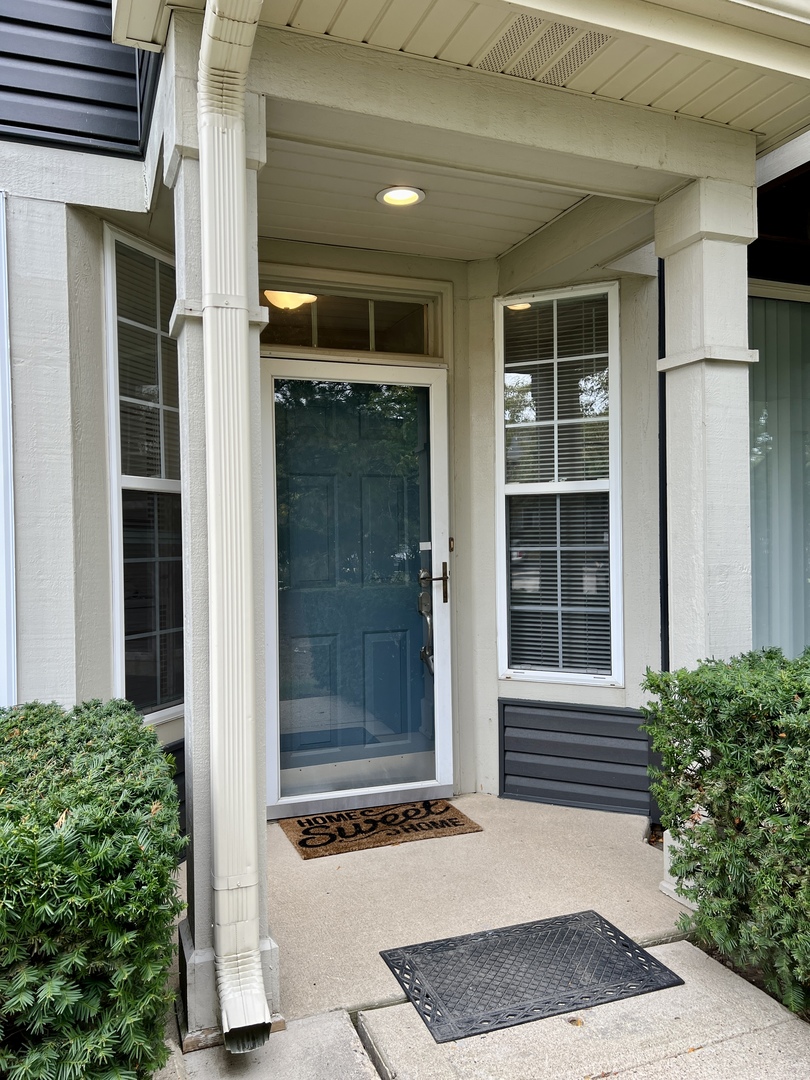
348, 1020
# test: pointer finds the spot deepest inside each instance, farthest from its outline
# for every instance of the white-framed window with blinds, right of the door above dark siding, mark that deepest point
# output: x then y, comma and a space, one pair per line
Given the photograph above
560, 492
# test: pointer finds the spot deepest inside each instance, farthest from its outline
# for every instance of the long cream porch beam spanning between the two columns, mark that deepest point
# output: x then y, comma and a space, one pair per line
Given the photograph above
586, 132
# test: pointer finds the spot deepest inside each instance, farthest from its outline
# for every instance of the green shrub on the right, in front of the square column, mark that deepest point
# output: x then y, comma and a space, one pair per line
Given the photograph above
735, 792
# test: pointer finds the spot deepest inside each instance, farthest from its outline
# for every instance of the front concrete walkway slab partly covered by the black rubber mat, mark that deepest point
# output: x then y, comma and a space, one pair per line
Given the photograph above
715, 1028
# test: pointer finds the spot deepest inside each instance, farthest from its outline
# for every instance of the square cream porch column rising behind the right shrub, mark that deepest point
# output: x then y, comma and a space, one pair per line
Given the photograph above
703, 233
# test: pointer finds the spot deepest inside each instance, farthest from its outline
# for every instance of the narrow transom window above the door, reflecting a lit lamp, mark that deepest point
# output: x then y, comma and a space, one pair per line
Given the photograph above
341, 321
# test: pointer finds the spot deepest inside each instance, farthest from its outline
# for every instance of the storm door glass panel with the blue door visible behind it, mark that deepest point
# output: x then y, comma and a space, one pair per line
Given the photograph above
354, 512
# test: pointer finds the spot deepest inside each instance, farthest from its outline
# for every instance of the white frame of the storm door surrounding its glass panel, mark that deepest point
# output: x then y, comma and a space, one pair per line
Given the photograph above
436, 380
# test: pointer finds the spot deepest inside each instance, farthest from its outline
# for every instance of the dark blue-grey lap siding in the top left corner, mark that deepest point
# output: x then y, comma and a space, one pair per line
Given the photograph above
64, 84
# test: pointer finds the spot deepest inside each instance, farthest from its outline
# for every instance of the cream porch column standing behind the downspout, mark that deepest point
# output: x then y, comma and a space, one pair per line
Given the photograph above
182, 172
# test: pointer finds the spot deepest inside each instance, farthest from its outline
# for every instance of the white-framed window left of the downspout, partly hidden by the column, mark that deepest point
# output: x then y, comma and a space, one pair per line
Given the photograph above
145, 476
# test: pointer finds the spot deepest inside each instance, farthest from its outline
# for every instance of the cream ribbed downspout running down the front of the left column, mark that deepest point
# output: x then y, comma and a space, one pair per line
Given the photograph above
225, 55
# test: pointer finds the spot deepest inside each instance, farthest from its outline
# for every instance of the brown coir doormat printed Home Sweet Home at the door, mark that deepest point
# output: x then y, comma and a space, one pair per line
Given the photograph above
333, 834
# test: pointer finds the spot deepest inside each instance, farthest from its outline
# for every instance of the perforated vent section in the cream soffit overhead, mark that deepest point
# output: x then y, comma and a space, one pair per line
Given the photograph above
549, 52
